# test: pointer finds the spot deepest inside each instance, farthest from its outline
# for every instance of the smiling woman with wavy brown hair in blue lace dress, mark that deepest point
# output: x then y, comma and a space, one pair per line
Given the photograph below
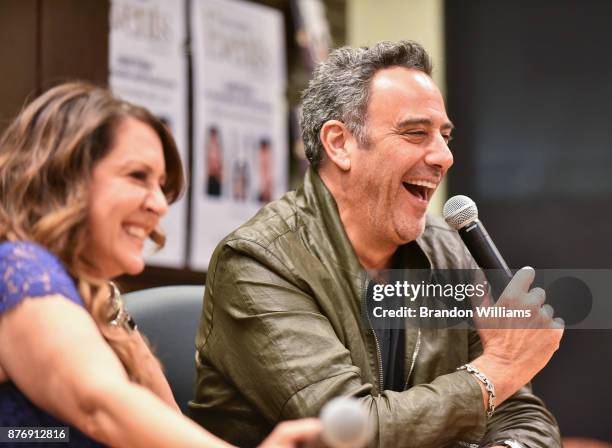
84, 180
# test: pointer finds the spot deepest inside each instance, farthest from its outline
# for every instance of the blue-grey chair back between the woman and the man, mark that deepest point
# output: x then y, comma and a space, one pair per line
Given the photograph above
168, 316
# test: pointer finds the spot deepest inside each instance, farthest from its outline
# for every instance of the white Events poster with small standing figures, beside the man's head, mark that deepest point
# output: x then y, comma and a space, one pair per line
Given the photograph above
240, 118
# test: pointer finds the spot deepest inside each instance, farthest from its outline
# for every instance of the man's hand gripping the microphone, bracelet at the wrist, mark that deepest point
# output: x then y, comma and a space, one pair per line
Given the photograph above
513, 356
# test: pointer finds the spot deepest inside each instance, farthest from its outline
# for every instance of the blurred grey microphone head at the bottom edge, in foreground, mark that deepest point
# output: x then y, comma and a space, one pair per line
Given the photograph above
345, 423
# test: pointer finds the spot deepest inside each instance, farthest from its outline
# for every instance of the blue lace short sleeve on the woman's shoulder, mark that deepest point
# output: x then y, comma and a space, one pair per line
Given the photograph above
29, 270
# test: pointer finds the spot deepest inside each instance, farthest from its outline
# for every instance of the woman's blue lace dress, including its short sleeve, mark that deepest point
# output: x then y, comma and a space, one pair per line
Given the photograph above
29, 270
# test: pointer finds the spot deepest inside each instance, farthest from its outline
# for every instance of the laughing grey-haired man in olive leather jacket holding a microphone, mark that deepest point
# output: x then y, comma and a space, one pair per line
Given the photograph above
281, 330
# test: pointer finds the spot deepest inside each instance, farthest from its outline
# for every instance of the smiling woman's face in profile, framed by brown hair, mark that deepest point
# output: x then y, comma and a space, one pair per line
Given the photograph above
126, 200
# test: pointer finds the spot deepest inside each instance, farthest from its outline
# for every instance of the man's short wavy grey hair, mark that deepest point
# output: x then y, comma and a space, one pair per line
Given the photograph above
339, 89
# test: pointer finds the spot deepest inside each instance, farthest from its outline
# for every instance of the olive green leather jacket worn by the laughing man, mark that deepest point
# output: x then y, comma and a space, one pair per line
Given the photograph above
281, 334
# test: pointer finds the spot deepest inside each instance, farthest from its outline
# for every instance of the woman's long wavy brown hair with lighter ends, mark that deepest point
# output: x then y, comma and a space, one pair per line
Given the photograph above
47, 156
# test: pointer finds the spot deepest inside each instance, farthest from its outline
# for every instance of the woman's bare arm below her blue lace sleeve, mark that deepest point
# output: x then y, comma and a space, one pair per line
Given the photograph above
52, 350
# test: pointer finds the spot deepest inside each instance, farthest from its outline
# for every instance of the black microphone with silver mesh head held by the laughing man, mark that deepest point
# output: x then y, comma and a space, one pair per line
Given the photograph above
461, 213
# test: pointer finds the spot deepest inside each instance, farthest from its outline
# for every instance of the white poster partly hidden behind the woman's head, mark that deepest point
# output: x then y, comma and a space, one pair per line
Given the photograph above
147, 65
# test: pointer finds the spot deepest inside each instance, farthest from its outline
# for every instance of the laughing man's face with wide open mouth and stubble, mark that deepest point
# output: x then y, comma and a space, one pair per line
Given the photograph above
394, 178
